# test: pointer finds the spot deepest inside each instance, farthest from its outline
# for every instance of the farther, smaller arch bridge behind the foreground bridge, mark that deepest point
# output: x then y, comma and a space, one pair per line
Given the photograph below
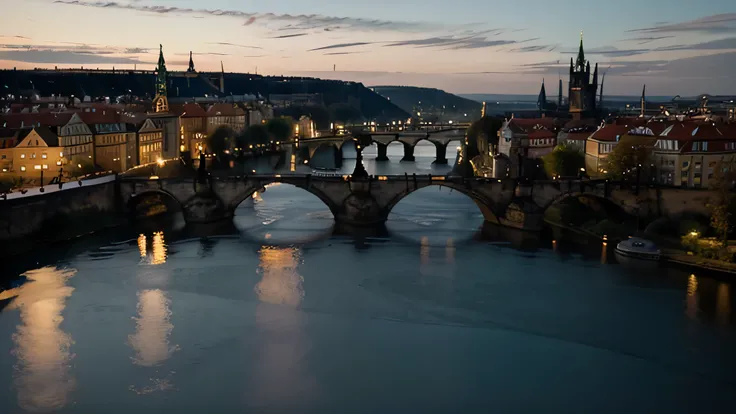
439, 137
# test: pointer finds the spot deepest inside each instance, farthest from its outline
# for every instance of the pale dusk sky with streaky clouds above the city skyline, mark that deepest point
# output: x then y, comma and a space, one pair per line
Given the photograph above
462, 46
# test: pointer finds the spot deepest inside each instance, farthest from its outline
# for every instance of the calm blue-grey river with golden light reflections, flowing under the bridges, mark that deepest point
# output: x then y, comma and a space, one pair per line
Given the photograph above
280, 312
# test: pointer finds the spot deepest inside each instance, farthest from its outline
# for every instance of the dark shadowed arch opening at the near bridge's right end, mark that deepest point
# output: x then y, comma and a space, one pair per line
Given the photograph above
592, 214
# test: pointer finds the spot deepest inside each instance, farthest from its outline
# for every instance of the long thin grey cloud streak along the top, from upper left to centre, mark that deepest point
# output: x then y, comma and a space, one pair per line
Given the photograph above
311, 21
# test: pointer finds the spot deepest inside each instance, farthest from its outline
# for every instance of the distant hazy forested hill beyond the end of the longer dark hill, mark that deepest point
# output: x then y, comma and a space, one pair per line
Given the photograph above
414, 99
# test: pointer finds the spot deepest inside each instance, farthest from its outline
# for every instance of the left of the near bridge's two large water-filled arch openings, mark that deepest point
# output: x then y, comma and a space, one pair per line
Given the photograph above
283, 214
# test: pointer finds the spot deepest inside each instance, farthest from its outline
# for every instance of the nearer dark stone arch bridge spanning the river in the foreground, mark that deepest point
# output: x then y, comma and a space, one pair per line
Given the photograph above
368, 202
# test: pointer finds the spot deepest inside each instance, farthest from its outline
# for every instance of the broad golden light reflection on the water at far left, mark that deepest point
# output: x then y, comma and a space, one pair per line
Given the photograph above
42, 372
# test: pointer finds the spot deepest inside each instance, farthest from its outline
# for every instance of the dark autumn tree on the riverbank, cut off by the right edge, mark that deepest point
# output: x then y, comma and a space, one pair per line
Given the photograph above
721, 202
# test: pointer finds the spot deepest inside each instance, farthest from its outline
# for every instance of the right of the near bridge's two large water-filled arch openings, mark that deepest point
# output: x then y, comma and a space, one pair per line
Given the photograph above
435, 214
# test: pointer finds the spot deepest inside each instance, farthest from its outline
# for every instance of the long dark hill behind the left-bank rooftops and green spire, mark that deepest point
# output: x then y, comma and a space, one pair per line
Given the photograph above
94, 85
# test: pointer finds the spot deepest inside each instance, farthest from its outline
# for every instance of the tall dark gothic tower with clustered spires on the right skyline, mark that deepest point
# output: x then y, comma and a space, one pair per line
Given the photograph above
583, 90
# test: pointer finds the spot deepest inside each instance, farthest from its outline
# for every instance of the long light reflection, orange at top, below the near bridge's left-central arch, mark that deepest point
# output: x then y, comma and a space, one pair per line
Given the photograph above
281, 380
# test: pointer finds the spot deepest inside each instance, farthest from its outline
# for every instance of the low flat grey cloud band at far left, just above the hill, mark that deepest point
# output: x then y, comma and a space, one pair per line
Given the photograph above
64, 57
